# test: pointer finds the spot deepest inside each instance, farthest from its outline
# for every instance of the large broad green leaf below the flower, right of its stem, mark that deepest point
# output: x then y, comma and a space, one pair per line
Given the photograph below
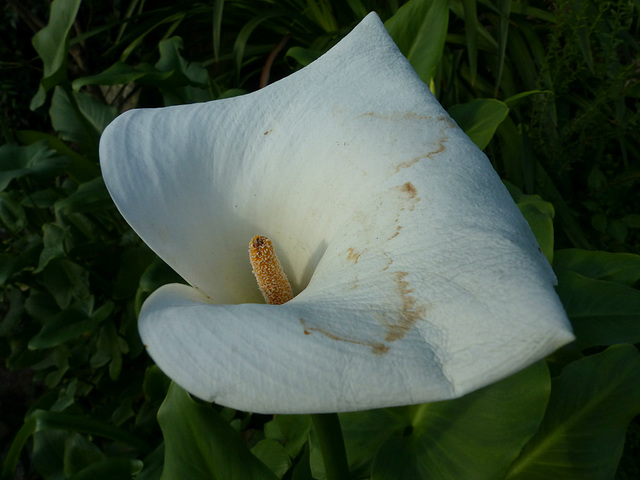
476, 436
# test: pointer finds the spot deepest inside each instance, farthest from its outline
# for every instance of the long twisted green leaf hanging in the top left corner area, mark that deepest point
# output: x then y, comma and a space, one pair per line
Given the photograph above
52, 45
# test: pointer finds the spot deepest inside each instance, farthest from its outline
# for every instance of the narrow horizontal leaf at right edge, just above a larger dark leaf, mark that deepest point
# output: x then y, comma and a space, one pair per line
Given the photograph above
615, 267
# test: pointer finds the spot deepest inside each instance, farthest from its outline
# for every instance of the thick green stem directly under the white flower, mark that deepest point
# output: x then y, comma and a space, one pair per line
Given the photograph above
329, 433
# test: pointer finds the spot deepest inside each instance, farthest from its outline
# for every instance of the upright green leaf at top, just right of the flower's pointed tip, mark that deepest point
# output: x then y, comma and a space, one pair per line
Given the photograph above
419, 28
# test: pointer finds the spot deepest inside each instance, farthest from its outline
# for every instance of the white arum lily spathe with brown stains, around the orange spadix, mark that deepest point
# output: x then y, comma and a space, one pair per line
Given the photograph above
415, 276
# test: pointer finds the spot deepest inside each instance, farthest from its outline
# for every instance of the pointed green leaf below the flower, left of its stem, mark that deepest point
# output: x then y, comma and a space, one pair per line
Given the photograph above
201, 445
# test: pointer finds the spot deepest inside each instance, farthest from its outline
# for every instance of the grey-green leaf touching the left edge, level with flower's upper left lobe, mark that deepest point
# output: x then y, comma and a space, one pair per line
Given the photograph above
36, 159
